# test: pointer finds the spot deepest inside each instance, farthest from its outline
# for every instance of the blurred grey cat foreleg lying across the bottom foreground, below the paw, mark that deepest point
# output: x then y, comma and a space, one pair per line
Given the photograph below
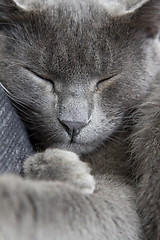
39, 210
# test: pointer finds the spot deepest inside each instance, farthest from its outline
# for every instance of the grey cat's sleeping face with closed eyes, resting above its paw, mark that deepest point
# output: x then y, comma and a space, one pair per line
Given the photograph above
74, 71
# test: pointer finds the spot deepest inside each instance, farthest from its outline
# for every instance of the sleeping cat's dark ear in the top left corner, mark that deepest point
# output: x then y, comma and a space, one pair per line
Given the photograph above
10, 11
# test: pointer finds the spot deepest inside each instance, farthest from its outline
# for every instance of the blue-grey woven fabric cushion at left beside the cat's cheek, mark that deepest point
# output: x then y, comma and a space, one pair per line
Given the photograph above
14, 142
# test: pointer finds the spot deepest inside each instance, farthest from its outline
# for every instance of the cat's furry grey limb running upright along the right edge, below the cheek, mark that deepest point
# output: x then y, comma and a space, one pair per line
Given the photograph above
146, 151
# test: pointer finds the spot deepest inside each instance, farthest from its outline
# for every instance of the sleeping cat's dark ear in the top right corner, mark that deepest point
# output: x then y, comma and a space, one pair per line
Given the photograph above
147, 18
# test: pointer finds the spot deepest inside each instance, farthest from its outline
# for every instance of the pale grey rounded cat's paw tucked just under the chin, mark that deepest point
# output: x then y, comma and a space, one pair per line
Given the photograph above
61, 165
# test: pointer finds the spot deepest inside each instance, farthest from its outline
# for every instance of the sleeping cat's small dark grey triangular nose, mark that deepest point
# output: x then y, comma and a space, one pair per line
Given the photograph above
73, 128
